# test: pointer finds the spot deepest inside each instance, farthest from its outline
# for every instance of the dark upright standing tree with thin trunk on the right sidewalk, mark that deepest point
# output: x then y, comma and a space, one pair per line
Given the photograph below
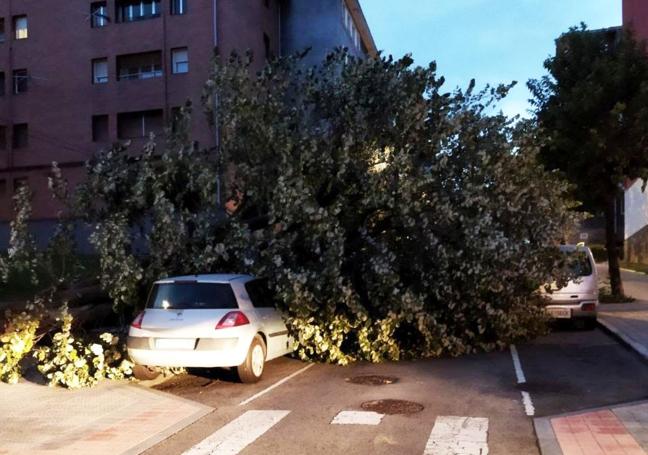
592, 109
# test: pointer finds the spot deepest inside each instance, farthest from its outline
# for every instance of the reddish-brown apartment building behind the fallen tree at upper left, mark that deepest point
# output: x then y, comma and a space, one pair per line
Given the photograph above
78, 75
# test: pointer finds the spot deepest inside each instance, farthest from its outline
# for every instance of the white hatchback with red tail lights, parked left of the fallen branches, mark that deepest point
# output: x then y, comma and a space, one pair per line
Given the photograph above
209, 321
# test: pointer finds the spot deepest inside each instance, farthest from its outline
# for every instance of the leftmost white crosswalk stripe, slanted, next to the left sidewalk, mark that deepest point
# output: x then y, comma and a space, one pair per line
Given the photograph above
238, 434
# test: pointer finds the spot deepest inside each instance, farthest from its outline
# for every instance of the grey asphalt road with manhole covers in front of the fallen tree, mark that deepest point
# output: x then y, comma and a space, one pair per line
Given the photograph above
565, 371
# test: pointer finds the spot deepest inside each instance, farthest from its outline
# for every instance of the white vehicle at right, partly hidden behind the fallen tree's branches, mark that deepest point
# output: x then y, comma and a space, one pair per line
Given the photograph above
579, 300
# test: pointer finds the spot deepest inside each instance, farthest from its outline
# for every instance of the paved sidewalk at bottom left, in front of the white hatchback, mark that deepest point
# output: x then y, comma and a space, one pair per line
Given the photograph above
112, 419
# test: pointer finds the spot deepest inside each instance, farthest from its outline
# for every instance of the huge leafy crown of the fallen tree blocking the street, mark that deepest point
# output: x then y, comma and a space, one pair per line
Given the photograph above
392, 219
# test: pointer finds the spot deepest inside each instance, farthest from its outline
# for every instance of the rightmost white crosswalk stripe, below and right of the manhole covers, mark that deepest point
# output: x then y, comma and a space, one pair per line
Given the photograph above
458, 436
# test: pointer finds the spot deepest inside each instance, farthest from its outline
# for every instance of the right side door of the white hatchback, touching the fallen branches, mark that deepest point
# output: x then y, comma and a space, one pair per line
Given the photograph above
274, 326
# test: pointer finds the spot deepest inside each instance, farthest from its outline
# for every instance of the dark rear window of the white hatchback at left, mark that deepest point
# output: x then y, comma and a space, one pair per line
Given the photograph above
191, 296
